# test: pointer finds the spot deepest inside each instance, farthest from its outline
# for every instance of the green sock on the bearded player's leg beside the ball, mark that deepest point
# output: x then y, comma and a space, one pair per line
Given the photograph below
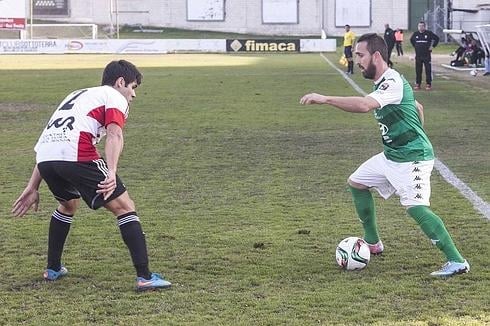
364, 202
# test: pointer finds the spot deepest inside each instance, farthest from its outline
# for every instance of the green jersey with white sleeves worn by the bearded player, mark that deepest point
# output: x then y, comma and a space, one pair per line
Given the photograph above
402, 133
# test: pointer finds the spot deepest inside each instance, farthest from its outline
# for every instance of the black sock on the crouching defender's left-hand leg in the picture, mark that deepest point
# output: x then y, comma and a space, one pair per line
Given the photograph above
58, 231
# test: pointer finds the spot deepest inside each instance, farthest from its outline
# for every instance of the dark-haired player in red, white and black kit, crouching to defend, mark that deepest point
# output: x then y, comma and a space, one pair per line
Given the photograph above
68, 161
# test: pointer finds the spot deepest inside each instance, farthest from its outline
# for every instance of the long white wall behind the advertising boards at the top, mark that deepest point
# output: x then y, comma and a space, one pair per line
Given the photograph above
242, 16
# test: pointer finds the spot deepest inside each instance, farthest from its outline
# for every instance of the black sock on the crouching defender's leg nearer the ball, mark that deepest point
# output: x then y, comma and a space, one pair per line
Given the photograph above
134, 238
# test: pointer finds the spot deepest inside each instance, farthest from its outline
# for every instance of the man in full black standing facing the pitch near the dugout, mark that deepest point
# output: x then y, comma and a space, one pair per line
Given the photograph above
423, 41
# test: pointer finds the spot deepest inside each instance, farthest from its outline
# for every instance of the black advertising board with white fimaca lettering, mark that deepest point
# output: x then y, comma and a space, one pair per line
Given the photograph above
251, 45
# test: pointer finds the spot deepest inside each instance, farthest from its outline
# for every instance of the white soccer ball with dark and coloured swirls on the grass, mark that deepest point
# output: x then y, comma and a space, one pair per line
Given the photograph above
352, 253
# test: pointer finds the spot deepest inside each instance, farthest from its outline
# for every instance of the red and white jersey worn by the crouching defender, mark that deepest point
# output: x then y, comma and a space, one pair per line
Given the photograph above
79, 123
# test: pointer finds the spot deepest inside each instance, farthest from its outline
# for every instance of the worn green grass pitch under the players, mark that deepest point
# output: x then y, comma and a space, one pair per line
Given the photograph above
242, 194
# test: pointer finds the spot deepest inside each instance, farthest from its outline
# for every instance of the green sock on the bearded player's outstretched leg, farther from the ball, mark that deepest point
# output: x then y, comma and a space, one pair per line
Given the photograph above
434, 228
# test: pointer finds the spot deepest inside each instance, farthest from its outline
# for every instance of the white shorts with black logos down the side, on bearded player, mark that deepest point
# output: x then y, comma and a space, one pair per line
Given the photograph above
409, 180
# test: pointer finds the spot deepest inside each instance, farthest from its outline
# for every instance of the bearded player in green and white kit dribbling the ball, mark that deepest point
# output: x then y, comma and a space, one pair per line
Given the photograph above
405, 165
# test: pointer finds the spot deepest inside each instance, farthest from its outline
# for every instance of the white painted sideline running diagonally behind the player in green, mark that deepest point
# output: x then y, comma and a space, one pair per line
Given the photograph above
478, 203
